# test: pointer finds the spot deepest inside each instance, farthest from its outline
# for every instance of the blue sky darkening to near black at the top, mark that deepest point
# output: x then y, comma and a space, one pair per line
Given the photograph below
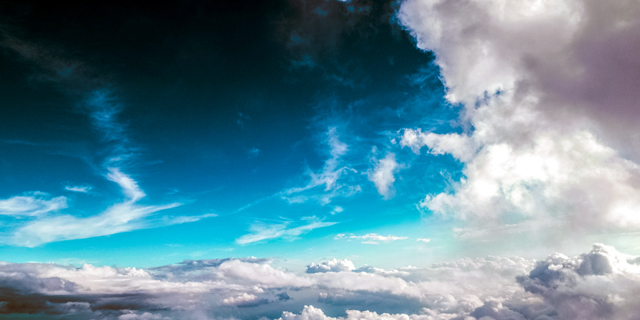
272, 153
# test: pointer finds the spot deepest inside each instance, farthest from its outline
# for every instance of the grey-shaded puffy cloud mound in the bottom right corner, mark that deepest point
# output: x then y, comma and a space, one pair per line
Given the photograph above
601, 284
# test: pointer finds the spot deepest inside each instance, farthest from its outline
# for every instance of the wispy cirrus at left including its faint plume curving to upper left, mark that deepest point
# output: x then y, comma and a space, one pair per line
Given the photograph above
99, 101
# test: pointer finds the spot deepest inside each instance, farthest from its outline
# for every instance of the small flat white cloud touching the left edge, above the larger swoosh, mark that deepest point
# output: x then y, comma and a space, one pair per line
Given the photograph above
31, 204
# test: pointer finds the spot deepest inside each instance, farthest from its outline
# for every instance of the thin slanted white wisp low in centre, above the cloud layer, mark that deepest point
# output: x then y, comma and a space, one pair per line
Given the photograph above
261, 231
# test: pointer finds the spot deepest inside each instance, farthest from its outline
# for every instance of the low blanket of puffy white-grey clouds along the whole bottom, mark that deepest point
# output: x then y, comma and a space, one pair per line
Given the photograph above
601, 284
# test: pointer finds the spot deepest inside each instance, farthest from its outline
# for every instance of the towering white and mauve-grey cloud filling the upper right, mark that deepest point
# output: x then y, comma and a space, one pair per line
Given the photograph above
549, 90
